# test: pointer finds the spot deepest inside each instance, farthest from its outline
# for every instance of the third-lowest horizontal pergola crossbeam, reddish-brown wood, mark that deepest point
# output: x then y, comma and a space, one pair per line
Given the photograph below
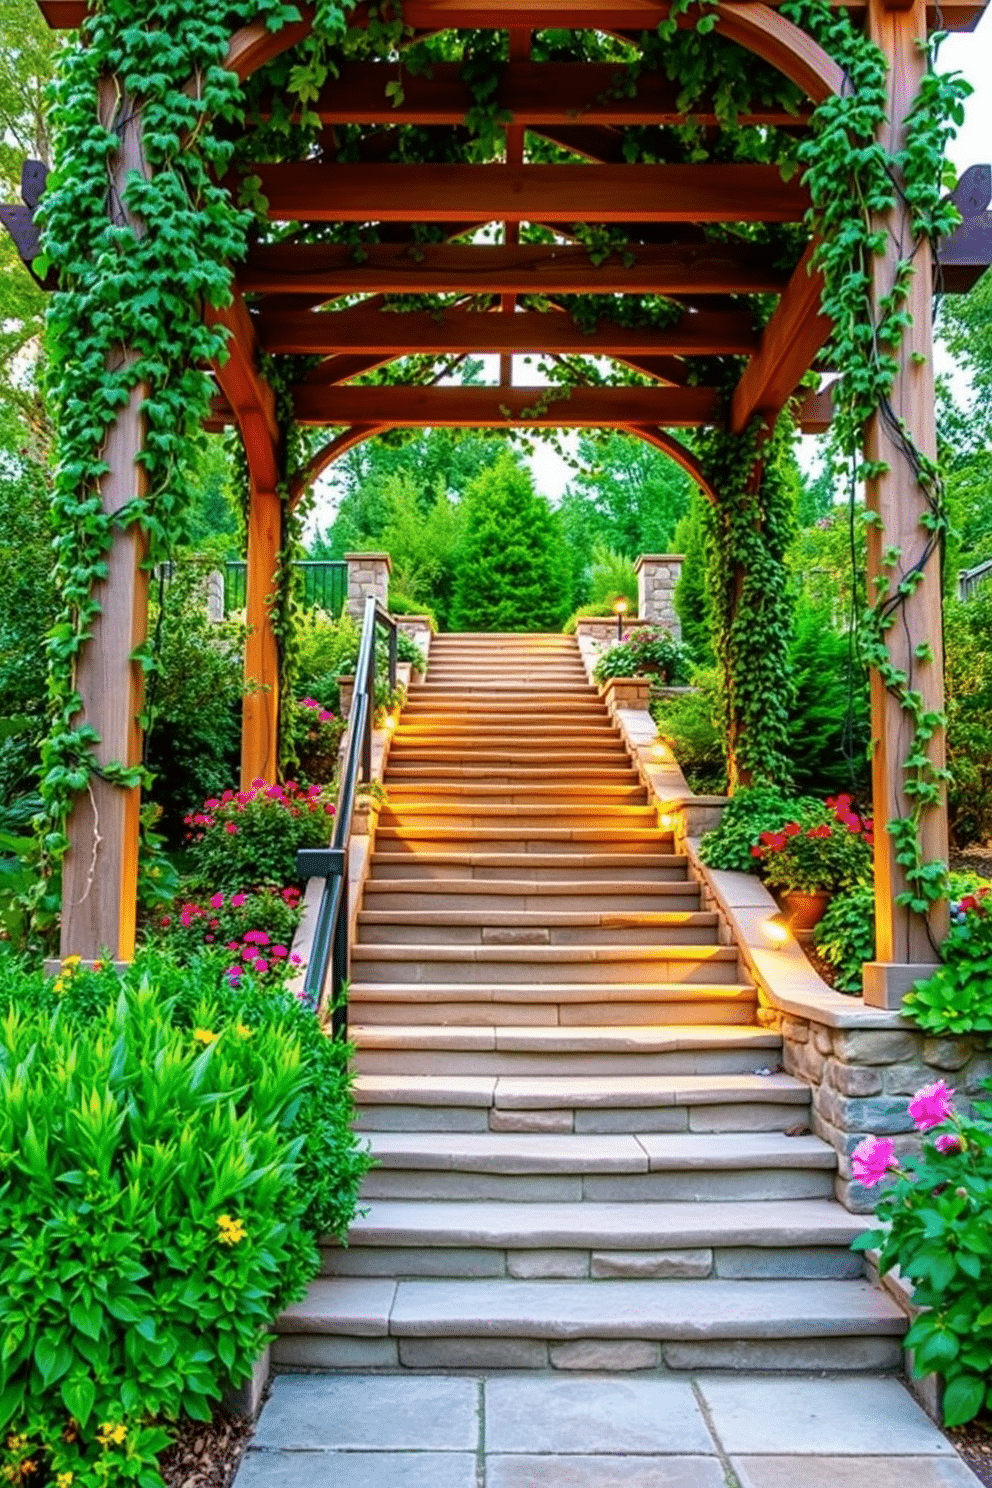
384, 269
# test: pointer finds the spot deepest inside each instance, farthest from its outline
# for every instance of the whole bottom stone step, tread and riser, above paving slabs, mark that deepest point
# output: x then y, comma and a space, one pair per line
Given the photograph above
596, 1325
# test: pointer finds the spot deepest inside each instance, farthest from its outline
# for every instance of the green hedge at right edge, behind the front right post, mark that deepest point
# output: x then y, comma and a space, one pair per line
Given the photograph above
969, 693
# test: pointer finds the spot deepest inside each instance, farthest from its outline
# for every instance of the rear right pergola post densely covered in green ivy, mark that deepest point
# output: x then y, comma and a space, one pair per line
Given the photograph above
750, 599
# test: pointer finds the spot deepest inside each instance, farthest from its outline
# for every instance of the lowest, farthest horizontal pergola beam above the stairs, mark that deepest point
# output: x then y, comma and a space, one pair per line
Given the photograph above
505, 407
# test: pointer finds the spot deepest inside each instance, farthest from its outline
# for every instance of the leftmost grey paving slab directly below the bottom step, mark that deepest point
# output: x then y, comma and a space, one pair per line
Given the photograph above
370, 1413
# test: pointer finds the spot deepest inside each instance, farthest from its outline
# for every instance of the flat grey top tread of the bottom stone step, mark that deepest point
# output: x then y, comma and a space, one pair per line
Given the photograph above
663, 1310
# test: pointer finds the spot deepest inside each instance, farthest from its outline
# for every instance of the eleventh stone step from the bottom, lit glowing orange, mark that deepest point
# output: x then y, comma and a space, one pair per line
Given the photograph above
542, 840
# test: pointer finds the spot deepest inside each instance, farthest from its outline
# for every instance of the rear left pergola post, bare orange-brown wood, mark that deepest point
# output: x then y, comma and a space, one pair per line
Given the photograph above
261, 713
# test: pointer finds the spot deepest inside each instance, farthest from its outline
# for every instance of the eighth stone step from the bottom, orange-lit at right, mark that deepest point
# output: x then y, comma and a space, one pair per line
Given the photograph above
454, 925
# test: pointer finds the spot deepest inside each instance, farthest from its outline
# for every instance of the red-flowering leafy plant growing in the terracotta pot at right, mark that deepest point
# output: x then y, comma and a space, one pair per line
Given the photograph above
823, 856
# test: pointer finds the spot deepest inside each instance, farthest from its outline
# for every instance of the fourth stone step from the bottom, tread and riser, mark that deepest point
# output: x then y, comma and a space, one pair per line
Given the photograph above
616, 1103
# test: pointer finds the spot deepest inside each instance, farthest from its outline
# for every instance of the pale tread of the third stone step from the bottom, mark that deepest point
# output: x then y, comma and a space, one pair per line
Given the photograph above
526, 1154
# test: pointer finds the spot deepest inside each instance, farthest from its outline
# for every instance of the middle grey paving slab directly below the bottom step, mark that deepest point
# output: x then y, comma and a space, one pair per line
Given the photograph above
602, 1416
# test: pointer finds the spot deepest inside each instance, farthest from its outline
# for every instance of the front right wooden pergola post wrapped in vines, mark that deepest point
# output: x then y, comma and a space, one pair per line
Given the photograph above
904, 941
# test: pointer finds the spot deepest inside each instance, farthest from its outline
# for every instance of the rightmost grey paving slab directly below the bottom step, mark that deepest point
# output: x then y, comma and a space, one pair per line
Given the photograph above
822, 1417
